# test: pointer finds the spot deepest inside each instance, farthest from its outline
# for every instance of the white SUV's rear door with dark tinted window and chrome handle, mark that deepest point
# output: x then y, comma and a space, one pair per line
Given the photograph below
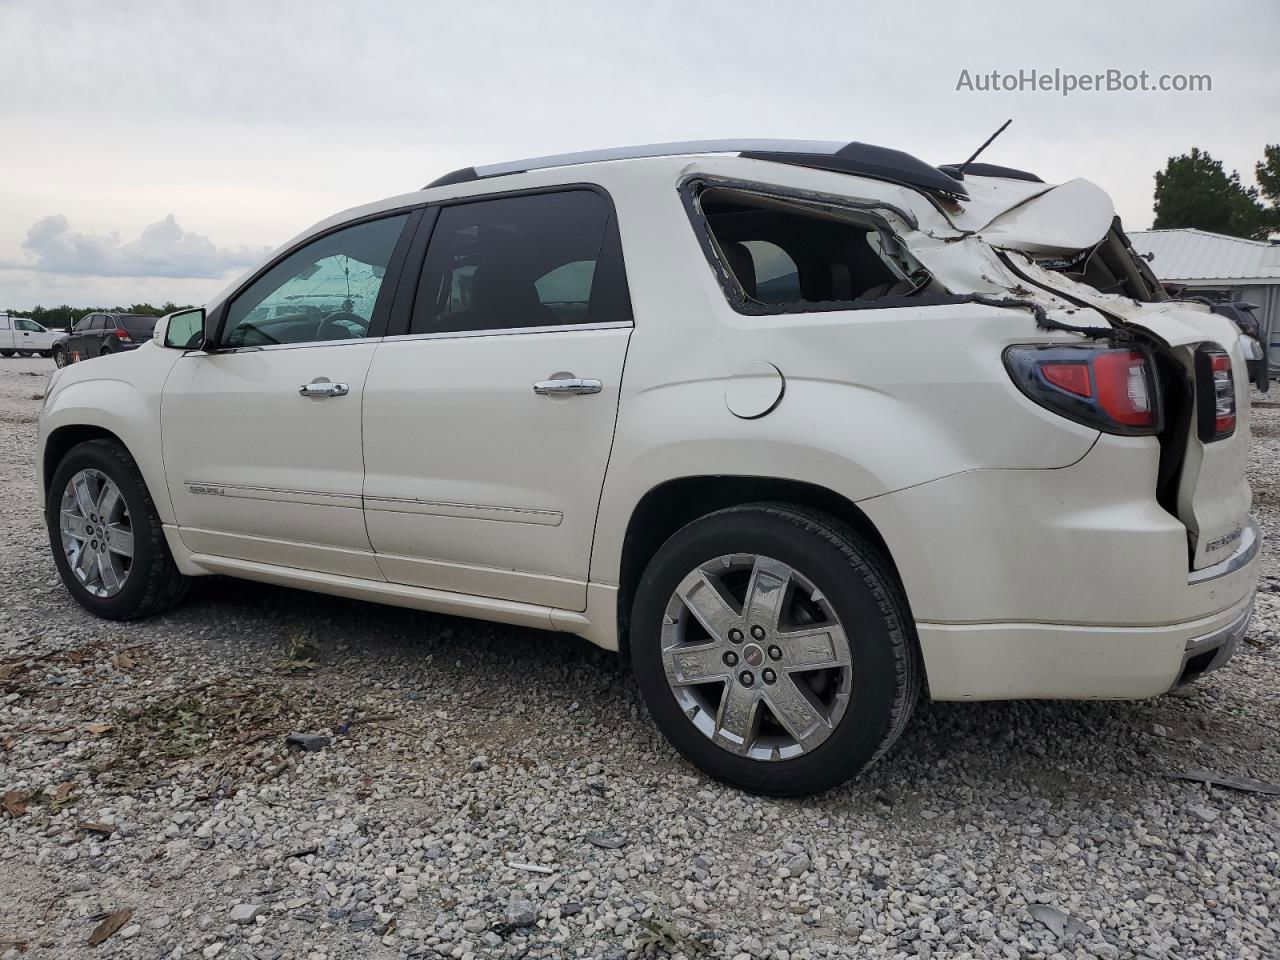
490, 422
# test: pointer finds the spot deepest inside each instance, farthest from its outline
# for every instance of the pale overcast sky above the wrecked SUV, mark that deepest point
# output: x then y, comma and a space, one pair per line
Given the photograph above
152, 152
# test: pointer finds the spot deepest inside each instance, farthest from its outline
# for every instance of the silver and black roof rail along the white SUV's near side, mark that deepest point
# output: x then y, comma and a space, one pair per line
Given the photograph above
860, 159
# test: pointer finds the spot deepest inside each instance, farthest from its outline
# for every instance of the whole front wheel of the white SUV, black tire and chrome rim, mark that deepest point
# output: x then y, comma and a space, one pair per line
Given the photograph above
107, 538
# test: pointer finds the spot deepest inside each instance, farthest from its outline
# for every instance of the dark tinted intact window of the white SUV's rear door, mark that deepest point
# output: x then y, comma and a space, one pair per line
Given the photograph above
536, 260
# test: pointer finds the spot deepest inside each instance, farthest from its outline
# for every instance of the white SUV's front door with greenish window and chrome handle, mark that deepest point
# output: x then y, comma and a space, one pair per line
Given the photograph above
264, 460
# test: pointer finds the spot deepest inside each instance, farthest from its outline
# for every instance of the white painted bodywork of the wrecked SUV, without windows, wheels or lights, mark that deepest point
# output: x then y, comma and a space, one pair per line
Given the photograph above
1031, 548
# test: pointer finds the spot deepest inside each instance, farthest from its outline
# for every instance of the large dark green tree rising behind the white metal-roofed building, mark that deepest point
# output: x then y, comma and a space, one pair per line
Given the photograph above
1194, 190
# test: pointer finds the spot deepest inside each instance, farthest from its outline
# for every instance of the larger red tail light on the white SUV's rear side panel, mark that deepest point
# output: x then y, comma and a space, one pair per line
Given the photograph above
1108, 388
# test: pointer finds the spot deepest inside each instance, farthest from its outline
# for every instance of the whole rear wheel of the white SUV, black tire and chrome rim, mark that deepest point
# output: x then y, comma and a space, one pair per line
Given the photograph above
774, 648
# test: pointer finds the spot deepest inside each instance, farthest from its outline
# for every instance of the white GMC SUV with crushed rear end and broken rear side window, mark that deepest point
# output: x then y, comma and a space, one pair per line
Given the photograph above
799, 427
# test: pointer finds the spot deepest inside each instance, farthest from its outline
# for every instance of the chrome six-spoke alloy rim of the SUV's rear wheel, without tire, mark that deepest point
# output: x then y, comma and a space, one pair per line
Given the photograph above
757, 657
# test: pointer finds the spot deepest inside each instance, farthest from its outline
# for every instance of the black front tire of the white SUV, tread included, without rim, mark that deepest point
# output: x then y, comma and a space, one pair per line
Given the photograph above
154, 583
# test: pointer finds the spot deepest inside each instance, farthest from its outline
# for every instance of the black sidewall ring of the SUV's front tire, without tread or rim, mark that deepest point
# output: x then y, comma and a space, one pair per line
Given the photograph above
99, 456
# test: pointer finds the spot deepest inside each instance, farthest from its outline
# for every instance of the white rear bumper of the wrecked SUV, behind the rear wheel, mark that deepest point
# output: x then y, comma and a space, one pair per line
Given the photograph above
1064, 584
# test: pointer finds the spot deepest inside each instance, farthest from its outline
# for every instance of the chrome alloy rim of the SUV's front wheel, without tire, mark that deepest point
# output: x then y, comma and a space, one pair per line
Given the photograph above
98, 537
